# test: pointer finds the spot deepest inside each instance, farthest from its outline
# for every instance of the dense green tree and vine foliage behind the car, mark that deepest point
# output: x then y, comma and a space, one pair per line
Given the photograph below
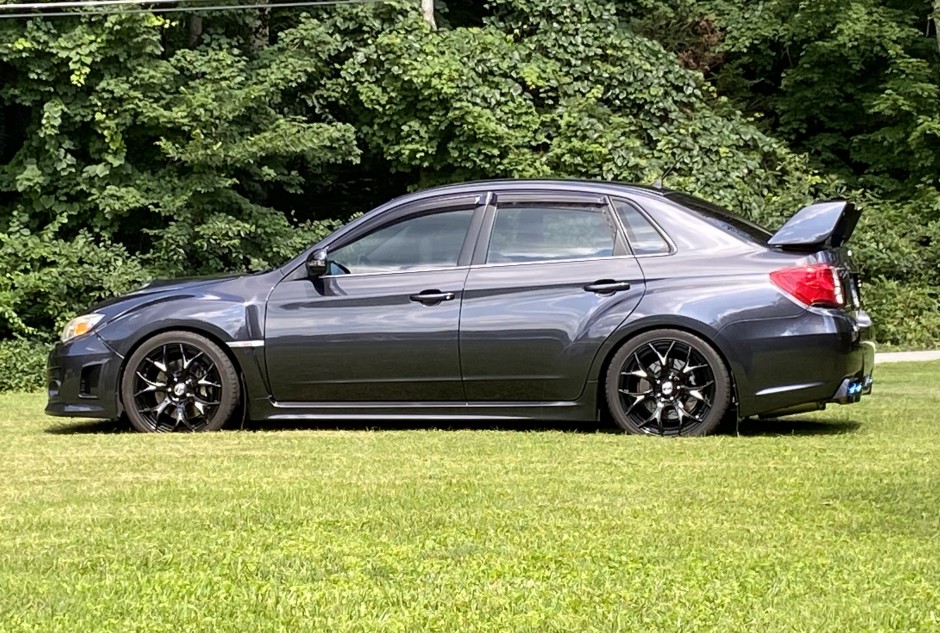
140, 145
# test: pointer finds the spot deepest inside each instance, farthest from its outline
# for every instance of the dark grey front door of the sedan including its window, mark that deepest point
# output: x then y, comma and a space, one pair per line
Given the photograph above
382, 326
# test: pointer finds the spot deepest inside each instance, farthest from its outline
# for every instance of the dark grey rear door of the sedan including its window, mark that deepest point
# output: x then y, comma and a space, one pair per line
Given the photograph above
552, 278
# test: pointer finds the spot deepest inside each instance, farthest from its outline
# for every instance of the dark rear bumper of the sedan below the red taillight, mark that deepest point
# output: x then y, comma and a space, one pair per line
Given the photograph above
780, 365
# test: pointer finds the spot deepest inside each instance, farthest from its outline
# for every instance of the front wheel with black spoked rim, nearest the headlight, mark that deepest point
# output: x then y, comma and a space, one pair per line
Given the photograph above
179, 381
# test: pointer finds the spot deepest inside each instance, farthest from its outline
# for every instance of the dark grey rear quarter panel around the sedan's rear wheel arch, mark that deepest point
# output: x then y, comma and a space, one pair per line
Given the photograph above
717, 285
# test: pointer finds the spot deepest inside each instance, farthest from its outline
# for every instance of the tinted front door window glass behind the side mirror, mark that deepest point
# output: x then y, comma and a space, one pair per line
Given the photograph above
426, 241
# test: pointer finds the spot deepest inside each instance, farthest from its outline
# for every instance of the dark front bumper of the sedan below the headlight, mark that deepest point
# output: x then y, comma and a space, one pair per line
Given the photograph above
82, 379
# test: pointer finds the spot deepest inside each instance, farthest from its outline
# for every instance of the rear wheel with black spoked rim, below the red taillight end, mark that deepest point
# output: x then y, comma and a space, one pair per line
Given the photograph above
668, 382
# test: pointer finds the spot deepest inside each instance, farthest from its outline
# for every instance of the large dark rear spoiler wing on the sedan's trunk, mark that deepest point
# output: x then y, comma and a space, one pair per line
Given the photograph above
818, 226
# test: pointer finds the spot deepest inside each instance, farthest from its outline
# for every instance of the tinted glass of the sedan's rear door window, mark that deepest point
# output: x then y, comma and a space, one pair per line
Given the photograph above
542, 232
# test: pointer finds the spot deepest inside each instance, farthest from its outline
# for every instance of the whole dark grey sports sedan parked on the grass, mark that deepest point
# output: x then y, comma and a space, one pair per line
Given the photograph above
496, 300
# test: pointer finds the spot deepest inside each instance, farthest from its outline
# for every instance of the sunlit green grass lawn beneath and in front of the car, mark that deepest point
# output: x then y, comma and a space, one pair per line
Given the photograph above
827, 522
